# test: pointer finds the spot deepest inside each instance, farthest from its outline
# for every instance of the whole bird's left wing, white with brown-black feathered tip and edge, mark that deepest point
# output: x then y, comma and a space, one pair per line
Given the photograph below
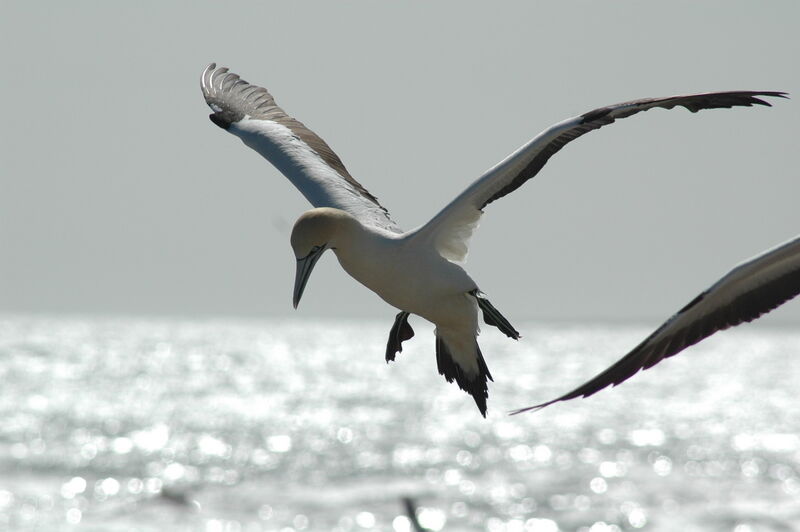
250, 113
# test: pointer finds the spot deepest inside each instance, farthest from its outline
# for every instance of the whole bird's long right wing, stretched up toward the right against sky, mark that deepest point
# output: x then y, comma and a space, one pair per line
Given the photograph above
450, 230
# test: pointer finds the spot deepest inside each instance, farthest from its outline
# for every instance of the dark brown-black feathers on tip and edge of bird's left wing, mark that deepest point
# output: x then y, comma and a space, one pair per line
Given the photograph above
232, 98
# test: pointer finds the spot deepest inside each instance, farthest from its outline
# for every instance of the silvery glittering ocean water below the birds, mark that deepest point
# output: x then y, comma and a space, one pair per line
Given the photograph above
214, 425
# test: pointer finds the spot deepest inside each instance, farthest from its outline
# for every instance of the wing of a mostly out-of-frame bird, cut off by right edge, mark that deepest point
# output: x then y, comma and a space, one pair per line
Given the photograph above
751, 289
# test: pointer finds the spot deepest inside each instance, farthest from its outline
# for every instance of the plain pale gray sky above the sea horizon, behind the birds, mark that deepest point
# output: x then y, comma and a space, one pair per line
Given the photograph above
118, 195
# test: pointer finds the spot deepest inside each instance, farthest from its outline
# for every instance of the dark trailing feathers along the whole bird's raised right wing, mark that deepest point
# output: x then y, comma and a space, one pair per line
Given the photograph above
608, 115
